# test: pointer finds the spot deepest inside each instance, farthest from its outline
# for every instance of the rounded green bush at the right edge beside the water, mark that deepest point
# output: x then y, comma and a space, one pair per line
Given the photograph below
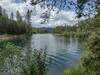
91, 62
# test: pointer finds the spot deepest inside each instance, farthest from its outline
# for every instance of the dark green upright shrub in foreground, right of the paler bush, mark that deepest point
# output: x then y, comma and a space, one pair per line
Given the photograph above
35, 64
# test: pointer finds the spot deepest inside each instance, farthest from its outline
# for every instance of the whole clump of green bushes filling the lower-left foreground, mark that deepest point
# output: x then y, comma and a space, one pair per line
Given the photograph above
15, 61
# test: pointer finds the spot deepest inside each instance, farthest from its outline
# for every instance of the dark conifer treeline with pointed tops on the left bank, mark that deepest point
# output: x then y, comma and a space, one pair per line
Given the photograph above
10, 26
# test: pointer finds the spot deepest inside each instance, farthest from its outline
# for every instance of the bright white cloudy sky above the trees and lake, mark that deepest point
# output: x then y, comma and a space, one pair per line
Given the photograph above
63, 17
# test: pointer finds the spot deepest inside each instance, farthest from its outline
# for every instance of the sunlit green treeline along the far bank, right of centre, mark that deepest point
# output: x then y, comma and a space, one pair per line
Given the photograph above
81, 29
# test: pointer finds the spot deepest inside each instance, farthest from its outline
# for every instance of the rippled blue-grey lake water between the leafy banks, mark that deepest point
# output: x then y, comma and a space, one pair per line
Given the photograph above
63, 52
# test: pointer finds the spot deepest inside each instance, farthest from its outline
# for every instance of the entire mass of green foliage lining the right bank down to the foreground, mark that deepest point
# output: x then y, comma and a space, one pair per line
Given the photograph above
90, 61
